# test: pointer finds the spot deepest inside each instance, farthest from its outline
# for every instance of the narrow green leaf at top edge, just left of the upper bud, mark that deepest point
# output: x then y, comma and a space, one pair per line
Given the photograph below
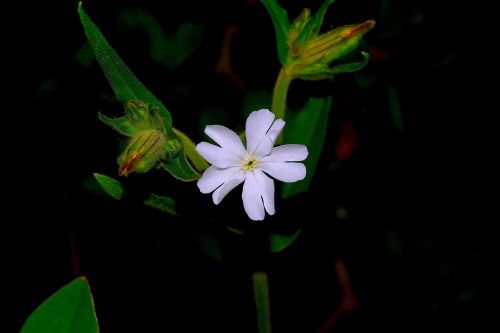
281, 23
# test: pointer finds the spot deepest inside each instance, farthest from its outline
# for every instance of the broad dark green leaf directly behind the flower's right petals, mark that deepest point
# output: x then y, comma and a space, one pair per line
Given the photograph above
307, 127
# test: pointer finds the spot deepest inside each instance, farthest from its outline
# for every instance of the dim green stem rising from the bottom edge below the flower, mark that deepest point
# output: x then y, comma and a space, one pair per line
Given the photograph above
261, 296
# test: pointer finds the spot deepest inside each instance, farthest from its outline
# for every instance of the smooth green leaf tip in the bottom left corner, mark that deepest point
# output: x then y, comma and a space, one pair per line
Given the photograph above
69, 310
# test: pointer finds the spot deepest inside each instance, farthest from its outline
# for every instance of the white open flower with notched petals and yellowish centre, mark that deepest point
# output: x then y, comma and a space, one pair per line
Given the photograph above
232, 164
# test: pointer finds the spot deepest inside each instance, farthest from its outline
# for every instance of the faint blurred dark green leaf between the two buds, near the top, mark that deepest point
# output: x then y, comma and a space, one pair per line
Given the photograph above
185, 41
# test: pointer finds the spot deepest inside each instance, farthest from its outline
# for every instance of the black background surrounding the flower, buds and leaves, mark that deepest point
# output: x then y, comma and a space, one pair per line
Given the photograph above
402, 203
